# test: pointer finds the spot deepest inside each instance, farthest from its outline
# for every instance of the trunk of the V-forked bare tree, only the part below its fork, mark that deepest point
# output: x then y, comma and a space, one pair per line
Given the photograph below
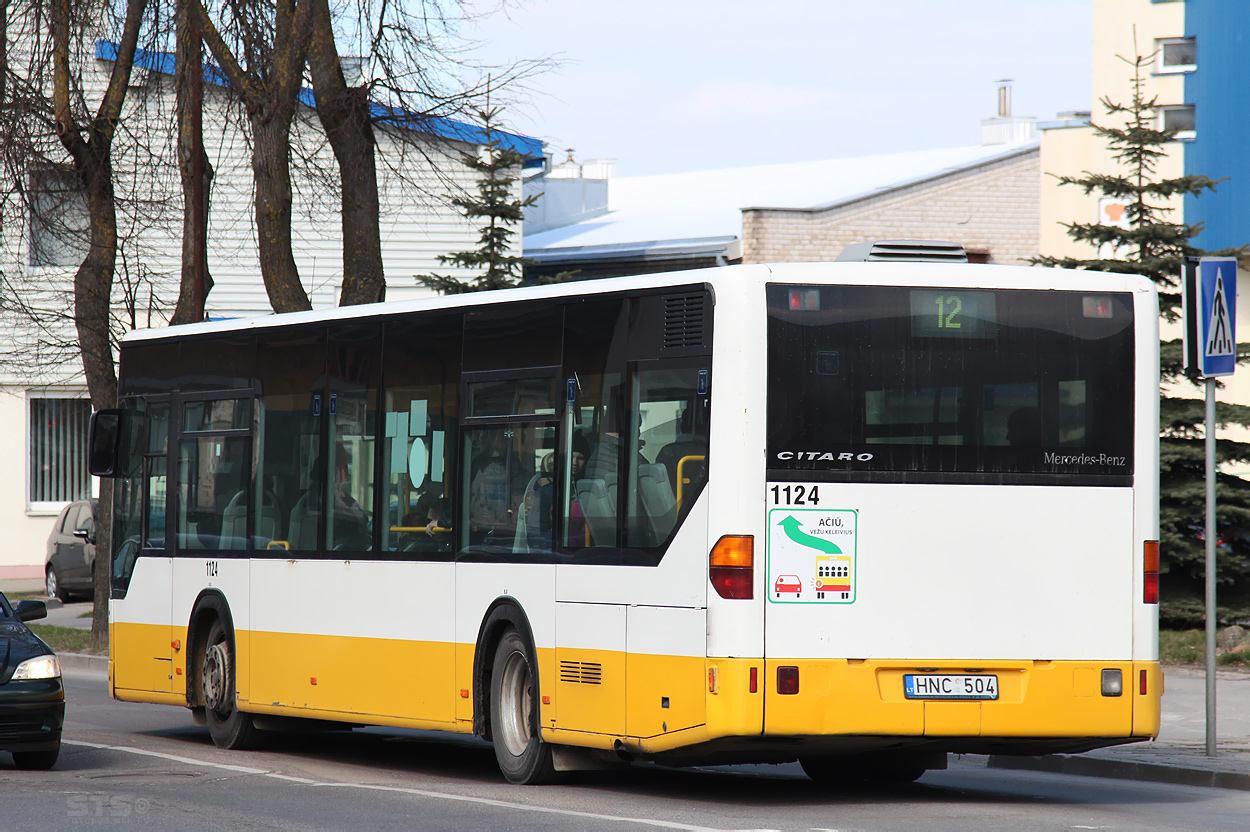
272, 172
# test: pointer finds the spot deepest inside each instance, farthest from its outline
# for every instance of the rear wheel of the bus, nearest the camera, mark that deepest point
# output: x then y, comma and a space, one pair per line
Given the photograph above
523, 756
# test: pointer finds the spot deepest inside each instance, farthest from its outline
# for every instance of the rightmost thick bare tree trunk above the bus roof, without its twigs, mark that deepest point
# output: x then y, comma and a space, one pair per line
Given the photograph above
344, 114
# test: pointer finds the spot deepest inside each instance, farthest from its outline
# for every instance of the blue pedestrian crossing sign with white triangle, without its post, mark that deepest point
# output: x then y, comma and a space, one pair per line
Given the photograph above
1212, 312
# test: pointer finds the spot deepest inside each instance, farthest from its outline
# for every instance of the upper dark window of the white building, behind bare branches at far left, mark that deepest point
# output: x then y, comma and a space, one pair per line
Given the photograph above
59, 223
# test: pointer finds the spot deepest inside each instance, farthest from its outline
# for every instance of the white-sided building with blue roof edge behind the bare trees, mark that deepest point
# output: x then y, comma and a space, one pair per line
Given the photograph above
43, 399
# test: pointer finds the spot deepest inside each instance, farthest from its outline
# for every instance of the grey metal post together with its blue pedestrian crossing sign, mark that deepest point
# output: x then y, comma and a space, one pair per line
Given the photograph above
1209, 294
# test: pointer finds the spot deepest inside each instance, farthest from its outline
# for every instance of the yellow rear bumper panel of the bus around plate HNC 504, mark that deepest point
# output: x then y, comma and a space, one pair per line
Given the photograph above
1037, 699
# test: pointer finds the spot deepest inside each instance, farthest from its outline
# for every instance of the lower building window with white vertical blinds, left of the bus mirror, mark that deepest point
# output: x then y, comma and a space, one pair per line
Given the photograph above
58, 452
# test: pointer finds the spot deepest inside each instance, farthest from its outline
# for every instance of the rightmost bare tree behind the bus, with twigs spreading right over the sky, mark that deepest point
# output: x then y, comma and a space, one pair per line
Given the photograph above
418, 78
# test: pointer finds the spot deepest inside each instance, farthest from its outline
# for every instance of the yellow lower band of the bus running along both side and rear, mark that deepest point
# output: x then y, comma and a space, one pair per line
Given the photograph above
648, 704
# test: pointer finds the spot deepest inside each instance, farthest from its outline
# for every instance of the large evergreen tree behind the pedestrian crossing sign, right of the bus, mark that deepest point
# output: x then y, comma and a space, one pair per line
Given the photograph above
1156, 248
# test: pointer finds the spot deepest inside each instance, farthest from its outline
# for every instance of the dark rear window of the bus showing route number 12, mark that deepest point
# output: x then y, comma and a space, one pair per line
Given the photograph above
951, 385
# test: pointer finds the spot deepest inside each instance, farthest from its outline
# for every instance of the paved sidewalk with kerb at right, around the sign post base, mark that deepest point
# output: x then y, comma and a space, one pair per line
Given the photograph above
1179, 756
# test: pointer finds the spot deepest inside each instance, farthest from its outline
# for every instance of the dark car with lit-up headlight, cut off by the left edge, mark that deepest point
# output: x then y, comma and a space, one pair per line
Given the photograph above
32, 694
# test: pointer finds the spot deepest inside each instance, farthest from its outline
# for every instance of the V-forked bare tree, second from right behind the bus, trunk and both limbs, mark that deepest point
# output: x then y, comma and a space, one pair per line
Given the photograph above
273, 42
